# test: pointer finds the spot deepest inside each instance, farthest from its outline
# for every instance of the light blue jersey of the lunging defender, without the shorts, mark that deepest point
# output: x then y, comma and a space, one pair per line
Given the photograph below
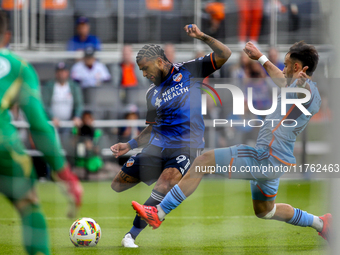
281, 138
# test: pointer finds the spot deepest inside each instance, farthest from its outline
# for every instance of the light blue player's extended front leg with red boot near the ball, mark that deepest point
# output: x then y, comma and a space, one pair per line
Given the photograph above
154, 215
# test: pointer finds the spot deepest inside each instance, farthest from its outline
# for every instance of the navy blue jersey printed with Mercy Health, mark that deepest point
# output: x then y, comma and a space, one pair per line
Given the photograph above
173, 111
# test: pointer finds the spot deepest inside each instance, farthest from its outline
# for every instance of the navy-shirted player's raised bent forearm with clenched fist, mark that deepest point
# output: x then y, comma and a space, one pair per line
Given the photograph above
222, 52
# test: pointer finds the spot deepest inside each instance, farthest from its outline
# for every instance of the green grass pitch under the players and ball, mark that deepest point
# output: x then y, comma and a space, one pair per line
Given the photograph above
217, 219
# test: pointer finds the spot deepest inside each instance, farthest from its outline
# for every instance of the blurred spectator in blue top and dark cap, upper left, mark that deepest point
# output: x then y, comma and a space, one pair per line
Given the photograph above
83, 38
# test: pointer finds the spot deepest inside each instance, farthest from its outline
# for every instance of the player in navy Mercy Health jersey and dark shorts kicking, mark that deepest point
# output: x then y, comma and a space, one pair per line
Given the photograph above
174, 135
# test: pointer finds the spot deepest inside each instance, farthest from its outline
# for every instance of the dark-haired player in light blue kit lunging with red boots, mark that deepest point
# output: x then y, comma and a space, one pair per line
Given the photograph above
274, 148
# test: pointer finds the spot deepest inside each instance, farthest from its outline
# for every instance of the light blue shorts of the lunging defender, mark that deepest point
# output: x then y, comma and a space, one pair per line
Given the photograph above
245, 162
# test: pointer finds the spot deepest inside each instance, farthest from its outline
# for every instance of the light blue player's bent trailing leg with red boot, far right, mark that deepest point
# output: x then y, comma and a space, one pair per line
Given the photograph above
294, 216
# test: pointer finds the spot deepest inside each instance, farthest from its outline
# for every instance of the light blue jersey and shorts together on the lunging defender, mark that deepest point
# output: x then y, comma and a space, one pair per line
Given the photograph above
273, 150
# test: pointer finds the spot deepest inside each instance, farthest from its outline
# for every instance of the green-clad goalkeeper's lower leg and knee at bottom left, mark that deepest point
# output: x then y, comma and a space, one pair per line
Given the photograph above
35, 232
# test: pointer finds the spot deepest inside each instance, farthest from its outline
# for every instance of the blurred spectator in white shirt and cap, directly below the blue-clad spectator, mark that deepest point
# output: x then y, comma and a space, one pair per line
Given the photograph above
90, 72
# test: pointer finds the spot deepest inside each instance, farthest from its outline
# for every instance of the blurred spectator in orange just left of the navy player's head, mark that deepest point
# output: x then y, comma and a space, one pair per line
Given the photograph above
128, 77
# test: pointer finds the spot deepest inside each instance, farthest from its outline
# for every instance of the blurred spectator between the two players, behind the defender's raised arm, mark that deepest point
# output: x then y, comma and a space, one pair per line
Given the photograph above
262, 91
